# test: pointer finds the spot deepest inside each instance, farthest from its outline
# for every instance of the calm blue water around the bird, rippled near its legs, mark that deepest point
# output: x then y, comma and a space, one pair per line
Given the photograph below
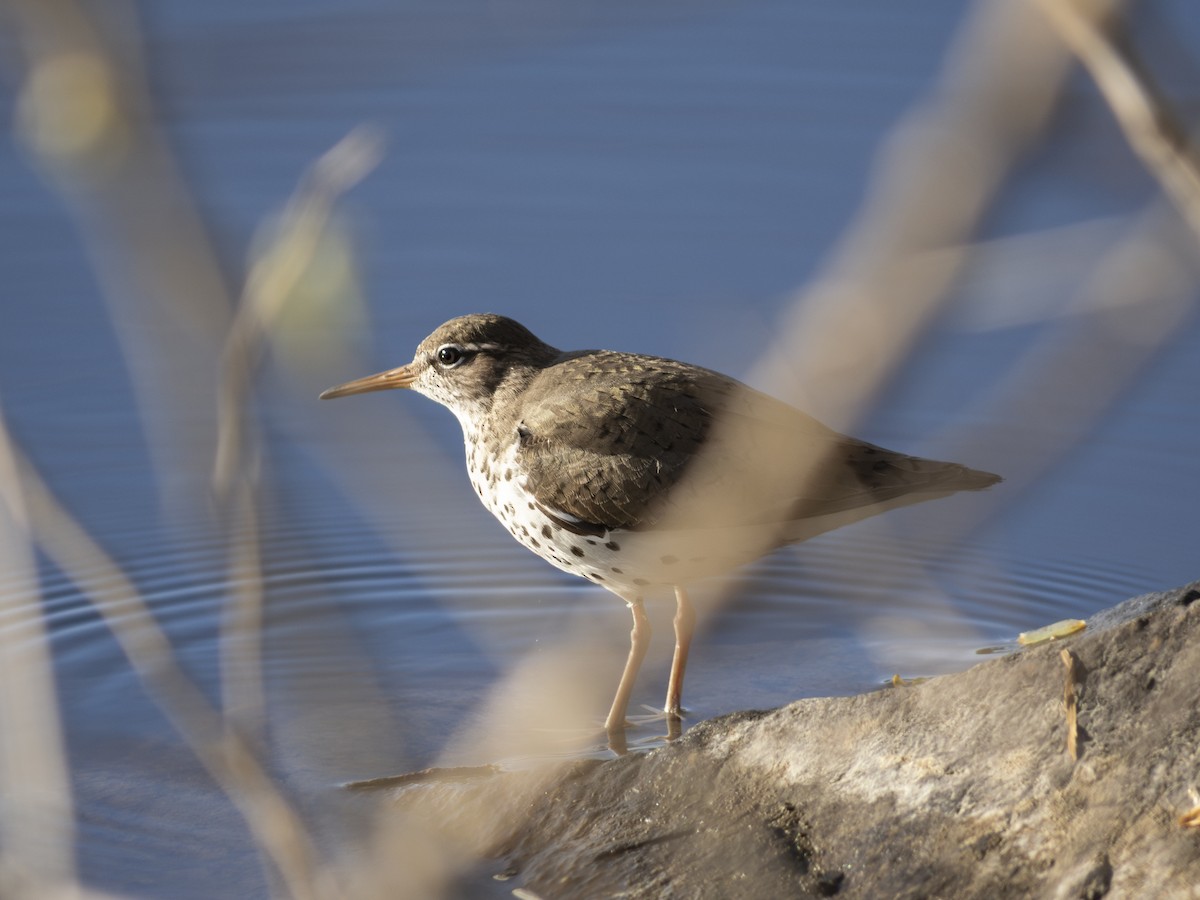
647, 179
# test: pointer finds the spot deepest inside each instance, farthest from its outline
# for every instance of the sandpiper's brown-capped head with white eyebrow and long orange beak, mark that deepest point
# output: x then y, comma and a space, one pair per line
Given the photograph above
464, 364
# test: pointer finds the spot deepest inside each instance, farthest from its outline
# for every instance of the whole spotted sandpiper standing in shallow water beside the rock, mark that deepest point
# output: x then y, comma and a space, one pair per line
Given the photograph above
639, 472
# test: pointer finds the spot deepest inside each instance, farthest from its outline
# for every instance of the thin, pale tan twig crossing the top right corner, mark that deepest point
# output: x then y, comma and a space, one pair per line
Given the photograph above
1154, 130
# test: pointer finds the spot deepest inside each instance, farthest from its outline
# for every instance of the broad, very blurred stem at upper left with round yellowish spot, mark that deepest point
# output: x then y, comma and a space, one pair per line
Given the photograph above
86, 117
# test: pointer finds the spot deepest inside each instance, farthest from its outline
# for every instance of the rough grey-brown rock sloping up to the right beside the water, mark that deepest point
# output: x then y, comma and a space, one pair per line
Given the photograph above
958, 788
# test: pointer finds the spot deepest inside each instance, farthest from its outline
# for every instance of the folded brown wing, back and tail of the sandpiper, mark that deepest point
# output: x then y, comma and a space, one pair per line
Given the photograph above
614, 452
